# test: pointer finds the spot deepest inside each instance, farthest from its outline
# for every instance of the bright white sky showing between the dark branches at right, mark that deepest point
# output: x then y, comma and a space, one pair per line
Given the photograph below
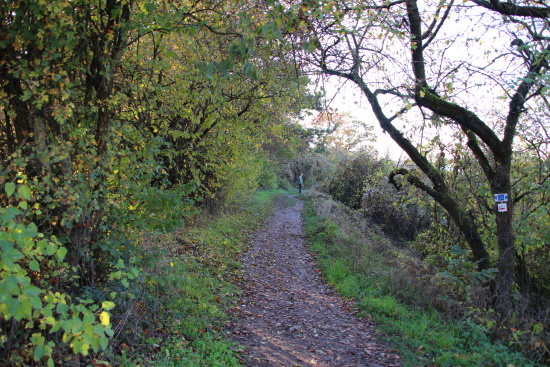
473, 63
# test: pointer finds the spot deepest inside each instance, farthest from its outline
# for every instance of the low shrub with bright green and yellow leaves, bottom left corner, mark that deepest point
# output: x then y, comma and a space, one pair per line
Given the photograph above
41, 322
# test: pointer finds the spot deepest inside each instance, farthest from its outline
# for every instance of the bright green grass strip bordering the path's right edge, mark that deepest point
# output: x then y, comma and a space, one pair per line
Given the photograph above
421, 335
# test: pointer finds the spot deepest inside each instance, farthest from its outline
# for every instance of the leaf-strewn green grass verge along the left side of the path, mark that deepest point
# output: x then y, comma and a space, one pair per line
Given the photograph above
179, 313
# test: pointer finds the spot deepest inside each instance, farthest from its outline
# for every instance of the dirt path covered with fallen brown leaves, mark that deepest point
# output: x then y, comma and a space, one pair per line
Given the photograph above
288, 316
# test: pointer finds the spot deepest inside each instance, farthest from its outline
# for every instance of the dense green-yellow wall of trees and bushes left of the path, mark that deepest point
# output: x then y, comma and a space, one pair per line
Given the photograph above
119, 117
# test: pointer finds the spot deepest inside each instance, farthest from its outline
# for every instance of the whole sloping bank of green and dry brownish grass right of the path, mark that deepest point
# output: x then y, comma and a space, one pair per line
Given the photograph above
395, 290
